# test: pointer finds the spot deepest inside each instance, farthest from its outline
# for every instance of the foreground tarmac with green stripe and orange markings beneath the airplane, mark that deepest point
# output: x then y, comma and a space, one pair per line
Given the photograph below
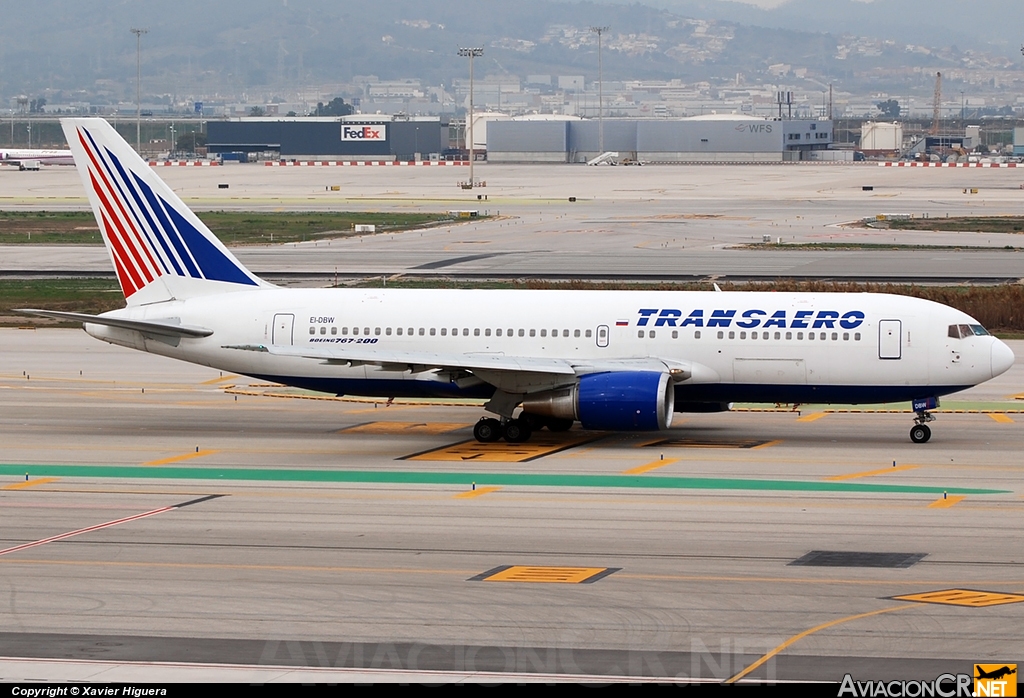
158, 512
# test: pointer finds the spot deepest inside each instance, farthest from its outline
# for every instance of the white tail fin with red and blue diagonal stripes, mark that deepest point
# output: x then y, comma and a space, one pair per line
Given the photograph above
159, 248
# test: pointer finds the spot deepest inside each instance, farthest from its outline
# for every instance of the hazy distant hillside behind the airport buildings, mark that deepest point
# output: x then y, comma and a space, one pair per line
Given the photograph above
202, 48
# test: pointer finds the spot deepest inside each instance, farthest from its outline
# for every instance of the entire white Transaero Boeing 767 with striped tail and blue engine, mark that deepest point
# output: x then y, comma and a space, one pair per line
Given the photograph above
612, 361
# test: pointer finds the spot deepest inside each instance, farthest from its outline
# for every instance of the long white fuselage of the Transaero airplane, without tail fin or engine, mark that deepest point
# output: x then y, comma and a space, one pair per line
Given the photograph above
745, 347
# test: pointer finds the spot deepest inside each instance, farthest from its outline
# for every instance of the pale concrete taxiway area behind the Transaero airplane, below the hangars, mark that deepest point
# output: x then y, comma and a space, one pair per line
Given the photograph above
658, 223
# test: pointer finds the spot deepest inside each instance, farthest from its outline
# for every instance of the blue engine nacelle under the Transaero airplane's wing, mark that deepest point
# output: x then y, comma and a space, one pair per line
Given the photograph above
641, 401
